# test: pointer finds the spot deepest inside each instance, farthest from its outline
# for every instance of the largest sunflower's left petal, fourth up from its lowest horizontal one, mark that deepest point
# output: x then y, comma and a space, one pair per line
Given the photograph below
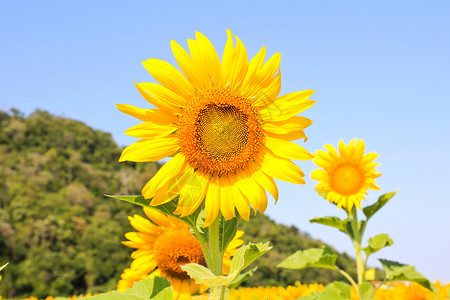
161, 97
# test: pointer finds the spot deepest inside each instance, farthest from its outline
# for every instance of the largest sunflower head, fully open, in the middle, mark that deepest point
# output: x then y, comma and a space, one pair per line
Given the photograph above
225, 126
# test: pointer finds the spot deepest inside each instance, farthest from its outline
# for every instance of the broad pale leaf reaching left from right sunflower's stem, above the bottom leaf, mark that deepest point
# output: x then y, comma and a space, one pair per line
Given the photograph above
309, 258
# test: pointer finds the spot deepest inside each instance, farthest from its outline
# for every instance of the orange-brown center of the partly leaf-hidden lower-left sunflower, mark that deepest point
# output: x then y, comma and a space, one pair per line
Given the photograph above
177, 247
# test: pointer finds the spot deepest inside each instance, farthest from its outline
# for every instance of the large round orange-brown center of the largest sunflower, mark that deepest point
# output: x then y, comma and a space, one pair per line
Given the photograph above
220, 132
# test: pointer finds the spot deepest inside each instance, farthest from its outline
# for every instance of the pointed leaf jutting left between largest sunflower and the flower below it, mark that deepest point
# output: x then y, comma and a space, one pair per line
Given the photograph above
167, 208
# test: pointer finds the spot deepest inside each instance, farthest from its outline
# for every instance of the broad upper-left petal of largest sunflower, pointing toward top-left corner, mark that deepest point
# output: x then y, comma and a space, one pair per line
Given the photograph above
169, 76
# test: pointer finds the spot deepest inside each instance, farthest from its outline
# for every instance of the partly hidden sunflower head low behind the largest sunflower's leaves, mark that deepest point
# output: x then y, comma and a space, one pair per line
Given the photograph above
162, 246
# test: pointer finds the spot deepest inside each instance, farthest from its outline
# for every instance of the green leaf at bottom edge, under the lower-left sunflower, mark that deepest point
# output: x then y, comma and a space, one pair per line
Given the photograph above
155, 288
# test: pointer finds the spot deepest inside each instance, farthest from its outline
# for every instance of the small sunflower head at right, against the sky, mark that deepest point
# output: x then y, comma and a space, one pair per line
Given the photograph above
346, 175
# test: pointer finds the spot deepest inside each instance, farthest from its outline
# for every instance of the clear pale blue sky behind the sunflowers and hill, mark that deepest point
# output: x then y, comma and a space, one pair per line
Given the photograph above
381, 71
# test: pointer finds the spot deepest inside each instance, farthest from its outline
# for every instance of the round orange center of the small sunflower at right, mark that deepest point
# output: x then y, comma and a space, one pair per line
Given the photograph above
347, 179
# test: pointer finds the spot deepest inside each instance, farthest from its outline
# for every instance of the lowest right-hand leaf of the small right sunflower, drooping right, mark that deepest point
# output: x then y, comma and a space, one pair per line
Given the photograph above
397, 271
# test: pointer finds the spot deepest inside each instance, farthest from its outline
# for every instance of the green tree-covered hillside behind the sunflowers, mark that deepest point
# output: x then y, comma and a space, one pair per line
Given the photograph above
62, 236
